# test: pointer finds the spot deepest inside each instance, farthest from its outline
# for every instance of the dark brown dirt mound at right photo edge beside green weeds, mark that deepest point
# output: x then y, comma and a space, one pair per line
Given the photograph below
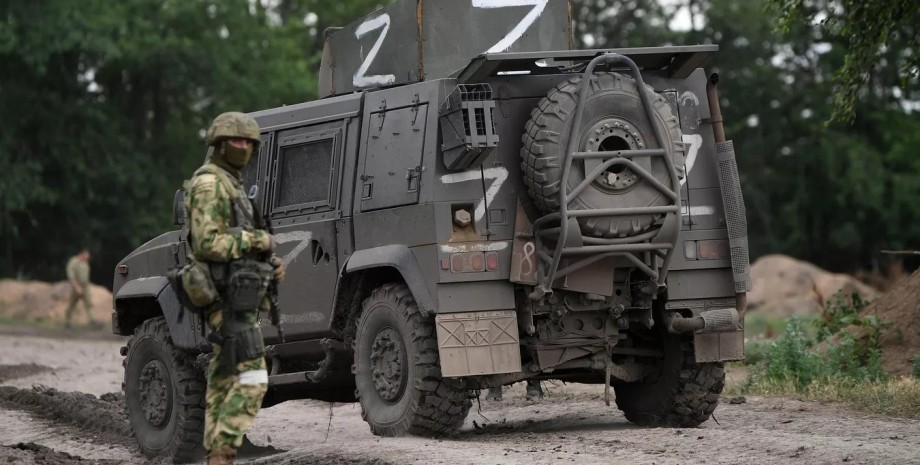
898, 306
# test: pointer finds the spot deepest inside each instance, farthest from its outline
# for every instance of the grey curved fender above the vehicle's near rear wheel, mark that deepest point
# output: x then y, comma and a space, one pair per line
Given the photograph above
400, 257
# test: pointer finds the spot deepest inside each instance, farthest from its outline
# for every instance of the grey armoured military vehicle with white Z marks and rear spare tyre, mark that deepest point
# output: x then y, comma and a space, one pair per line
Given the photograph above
471, 203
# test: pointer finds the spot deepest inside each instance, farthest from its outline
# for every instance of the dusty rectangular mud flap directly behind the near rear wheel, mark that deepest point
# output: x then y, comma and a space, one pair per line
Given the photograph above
478, 343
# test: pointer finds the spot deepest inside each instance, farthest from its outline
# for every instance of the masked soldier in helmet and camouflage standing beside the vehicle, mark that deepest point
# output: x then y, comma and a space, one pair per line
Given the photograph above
223, 234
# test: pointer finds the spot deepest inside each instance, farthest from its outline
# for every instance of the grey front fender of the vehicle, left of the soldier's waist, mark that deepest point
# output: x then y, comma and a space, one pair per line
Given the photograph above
184, 327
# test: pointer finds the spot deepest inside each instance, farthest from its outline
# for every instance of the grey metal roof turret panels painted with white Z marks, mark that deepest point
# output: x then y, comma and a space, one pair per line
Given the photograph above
414, 40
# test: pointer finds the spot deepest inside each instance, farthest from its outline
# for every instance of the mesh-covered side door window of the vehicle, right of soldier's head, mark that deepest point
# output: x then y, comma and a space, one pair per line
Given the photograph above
304, 173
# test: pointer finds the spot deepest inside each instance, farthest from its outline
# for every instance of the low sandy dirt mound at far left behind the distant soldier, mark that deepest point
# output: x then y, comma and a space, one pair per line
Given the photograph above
38, 300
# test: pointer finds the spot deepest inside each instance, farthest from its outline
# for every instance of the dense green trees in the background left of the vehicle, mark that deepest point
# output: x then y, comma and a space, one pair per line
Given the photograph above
103, 106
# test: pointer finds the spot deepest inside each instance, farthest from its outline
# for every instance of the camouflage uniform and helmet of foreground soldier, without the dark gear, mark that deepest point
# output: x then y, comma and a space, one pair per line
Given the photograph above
234, 396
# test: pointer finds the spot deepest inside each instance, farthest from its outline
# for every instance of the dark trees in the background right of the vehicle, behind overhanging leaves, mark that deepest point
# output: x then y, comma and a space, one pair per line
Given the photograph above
833, 193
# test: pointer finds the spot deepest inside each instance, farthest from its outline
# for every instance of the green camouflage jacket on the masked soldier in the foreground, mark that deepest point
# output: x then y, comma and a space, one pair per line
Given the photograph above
209, 210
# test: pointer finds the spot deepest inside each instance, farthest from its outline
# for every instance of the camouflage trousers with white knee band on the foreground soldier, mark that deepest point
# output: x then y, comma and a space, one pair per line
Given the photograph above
232, 400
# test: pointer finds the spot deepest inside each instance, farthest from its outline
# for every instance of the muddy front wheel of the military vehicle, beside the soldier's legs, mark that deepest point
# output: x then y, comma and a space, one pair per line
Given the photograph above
164, 395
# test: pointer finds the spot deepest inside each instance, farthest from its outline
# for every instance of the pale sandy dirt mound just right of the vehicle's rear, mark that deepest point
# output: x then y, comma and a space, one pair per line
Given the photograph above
784, 286
